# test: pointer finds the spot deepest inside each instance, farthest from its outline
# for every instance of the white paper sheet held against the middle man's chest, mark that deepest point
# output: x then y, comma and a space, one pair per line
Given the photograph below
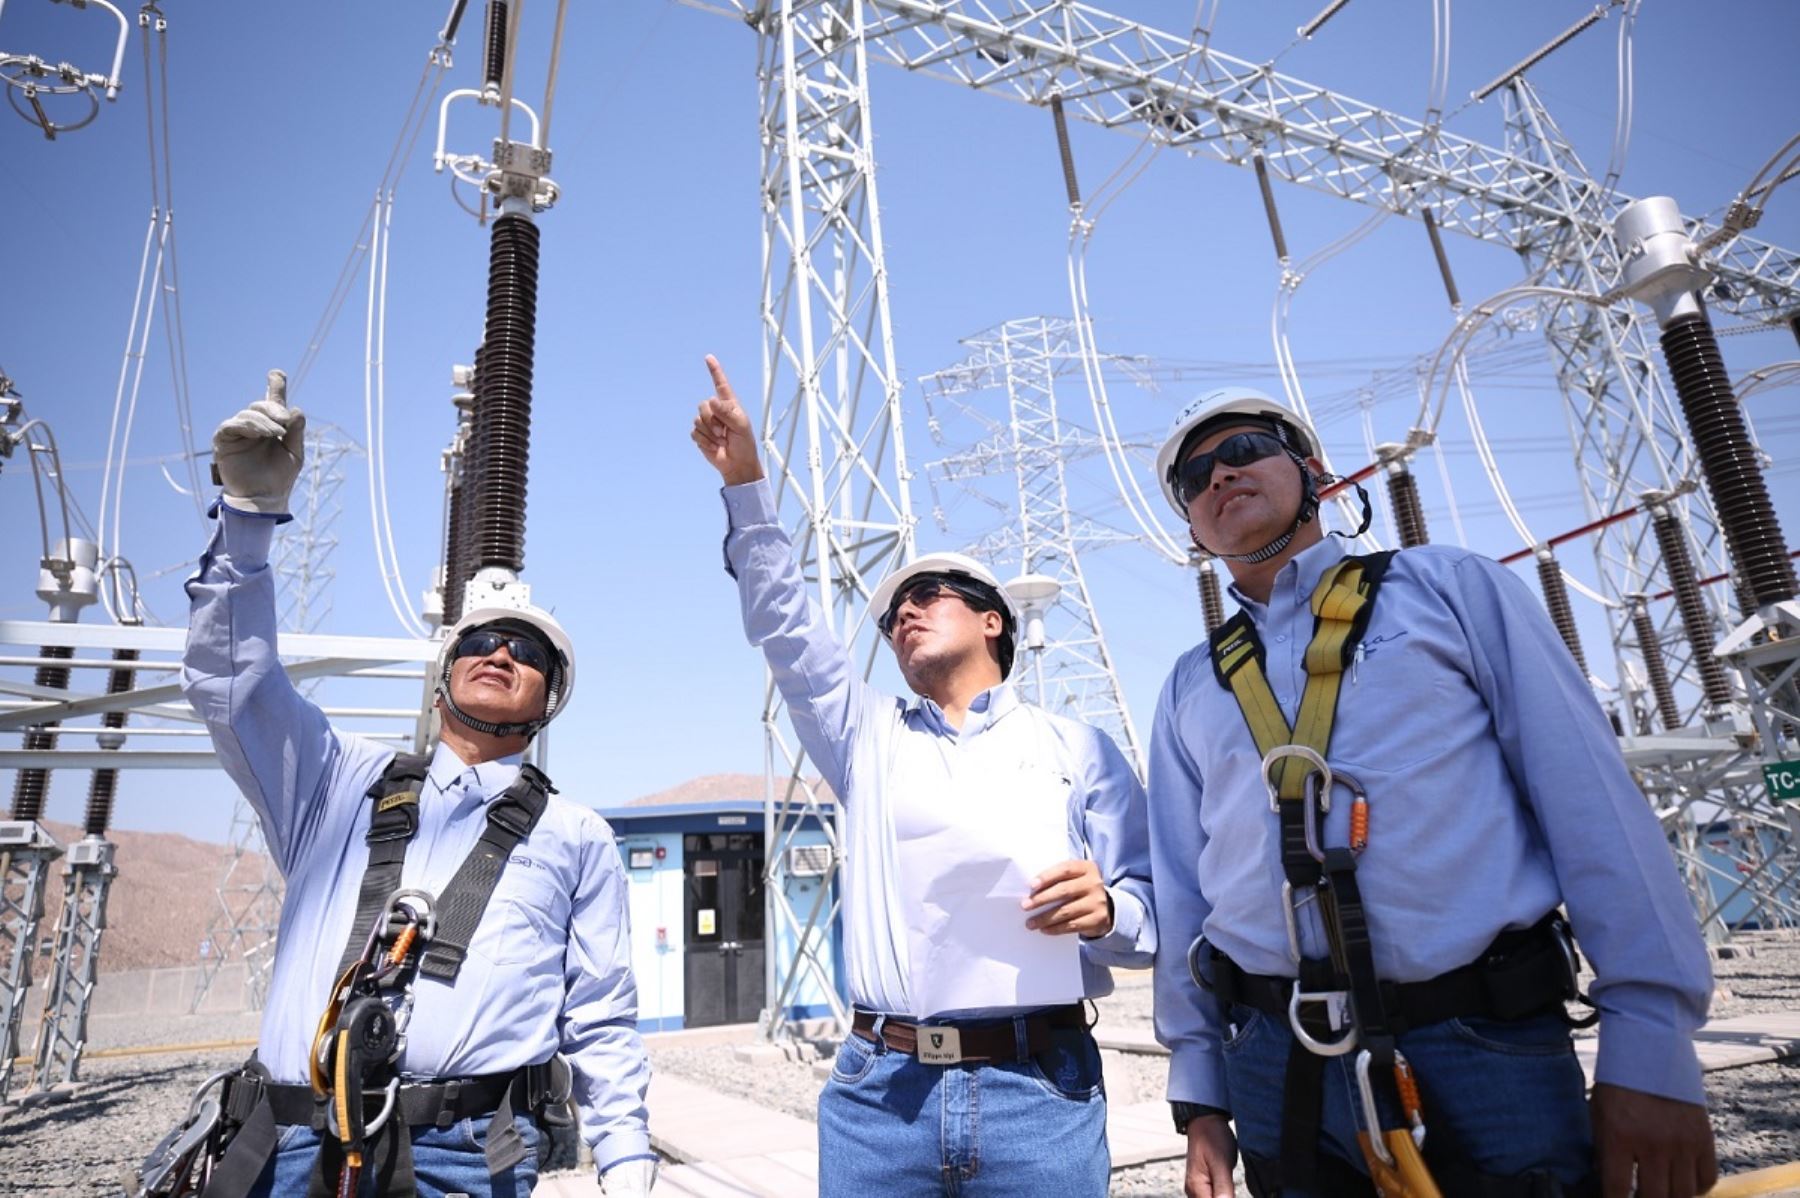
967, 872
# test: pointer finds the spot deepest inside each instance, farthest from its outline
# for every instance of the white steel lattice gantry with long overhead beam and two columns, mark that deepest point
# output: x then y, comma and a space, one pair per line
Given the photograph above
832, 400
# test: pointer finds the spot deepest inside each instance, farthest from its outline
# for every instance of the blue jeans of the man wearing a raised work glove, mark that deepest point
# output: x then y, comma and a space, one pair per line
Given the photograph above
445, 1161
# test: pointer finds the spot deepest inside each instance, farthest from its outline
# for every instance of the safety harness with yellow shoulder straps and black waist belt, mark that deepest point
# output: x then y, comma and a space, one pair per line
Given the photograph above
1338, 1005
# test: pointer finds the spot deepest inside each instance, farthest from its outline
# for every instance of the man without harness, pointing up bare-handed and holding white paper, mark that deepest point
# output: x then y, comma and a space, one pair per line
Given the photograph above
994, 870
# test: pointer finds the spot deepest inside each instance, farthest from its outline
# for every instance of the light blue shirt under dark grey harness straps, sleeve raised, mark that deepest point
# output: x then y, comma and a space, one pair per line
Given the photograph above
550, 969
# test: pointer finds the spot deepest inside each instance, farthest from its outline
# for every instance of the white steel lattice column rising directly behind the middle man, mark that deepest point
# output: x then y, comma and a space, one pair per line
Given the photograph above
831, 418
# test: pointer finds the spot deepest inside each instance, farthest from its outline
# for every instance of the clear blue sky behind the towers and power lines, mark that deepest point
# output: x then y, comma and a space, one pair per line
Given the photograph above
283, 118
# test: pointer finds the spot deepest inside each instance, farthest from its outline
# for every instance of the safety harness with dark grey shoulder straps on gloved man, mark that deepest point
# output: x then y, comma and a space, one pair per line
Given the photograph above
355, 1096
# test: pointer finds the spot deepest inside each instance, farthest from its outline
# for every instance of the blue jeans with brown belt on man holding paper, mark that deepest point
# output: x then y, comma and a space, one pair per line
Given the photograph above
890, 1125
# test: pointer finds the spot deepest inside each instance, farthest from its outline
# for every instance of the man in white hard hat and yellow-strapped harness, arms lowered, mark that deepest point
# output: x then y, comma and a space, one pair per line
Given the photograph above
1380, 798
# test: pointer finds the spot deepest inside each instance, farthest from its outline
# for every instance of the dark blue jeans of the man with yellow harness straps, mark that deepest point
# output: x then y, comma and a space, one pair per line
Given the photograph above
1507, 1096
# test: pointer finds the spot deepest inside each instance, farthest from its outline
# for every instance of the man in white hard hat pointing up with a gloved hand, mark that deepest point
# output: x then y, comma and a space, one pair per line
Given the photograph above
454, 958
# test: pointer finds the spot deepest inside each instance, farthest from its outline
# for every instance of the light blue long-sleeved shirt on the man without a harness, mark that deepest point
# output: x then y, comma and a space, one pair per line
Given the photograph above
885, 756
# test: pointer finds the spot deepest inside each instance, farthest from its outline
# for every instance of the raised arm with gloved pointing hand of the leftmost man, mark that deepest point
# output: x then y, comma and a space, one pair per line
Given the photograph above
274, 744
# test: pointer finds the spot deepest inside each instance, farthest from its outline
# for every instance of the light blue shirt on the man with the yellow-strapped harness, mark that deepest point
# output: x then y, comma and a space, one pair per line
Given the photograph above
1495, 792
